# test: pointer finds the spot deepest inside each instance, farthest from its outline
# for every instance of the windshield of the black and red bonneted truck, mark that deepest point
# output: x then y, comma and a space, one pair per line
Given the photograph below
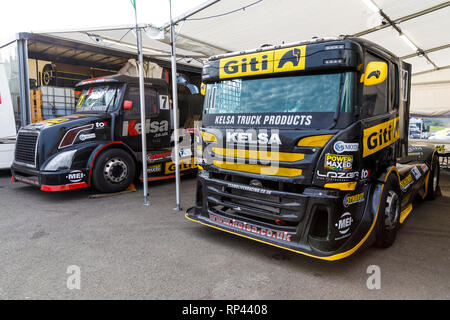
98, 98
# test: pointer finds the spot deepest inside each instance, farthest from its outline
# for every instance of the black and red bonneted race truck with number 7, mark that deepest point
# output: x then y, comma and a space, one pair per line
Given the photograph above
100, 144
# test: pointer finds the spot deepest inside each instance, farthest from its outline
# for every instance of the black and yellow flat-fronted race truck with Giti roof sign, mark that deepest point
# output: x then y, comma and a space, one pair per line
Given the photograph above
304, 146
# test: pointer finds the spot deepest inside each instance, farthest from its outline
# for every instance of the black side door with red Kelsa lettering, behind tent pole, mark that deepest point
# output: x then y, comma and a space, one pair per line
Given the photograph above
131, 123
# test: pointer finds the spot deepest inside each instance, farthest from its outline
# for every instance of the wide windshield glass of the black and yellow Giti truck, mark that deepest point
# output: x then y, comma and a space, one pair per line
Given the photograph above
294, 94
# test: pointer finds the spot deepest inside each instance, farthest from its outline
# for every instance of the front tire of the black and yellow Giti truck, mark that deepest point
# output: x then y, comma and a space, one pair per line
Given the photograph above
388, 213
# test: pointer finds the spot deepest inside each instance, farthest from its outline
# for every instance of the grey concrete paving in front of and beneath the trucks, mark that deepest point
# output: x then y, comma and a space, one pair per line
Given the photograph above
125, 250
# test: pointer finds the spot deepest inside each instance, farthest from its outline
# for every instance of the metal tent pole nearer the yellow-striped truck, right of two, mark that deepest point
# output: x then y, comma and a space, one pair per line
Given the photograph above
175, 110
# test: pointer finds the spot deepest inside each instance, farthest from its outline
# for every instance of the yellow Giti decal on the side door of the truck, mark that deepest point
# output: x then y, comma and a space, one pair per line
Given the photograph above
380, 136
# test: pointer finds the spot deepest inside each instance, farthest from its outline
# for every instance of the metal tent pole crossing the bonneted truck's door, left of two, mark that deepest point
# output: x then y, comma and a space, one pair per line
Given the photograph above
142, 103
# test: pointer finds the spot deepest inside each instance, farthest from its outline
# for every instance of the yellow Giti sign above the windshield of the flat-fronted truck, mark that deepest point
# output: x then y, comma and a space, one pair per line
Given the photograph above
281, 60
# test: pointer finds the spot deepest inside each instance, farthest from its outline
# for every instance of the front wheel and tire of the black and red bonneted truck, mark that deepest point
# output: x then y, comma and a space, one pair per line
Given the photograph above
114, 170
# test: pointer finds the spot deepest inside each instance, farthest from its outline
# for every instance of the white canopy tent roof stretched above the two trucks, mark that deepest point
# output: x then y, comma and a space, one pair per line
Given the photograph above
415, 30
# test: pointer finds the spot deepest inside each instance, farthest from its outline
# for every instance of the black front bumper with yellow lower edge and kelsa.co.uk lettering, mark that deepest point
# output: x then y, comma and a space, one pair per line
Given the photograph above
316, 222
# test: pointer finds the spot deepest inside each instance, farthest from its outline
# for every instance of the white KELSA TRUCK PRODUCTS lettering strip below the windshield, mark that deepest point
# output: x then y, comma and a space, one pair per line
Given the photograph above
258, 120
